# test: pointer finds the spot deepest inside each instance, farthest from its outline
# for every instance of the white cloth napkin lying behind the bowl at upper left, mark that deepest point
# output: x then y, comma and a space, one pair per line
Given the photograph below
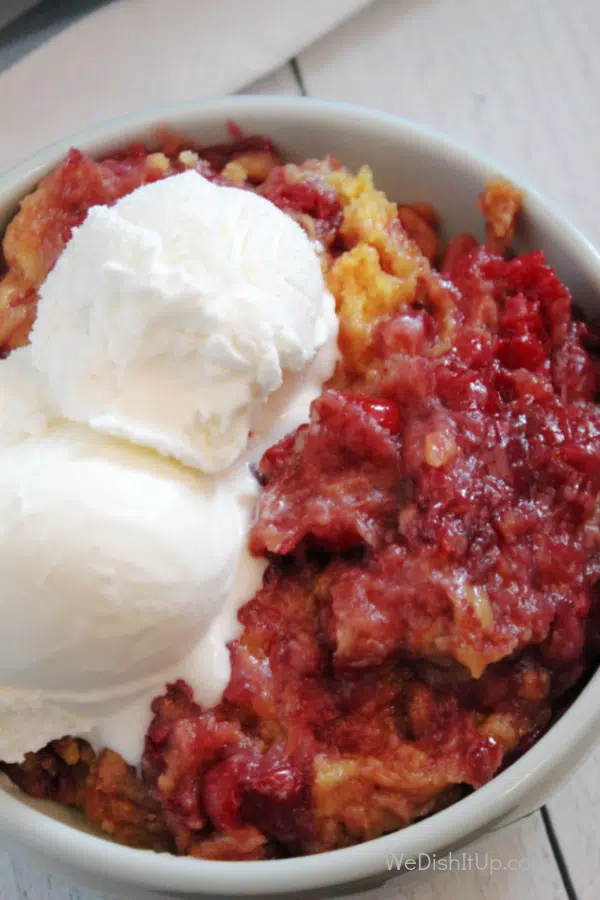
133, 54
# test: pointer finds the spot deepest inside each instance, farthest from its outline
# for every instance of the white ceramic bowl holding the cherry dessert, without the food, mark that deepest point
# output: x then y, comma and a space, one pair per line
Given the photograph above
410, 163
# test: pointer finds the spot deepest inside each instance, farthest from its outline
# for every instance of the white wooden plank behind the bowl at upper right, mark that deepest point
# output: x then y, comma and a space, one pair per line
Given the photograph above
516, 80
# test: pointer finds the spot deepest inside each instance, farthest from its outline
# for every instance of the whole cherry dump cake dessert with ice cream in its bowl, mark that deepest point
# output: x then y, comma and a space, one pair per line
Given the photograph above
415, 514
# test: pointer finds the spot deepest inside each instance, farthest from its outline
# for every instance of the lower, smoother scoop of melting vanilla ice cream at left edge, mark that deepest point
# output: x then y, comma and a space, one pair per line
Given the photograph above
115, 561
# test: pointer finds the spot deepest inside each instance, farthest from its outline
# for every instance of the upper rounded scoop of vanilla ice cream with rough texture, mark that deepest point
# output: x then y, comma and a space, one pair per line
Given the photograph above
173, 315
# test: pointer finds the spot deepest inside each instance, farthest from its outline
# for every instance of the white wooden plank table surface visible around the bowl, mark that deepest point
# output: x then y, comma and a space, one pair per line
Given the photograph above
520, 80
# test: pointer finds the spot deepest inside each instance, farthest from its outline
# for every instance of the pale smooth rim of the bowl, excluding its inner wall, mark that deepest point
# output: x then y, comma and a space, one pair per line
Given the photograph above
564, 745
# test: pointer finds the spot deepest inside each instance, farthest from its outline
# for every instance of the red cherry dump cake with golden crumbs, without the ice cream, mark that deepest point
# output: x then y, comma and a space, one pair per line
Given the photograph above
432, 533
